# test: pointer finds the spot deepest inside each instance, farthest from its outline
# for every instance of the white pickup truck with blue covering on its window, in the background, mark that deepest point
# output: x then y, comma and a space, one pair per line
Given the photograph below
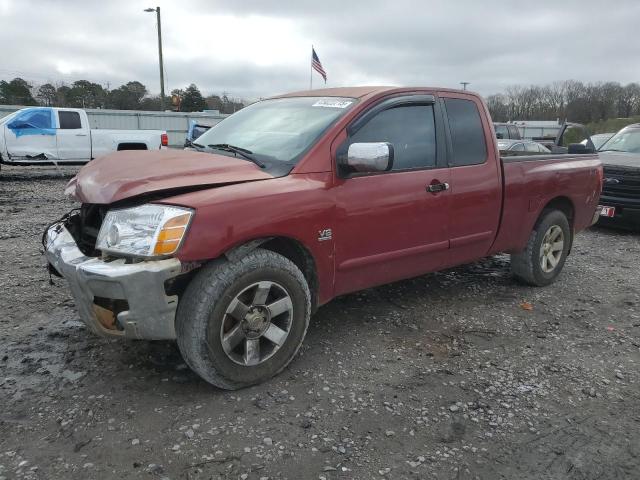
45, 135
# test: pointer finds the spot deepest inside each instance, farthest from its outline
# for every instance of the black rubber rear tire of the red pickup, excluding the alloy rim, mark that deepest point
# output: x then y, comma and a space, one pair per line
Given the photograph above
527, 266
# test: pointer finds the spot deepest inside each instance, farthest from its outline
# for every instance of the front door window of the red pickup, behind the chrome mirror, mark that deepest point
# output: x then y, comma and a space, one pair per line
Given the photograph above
411, 131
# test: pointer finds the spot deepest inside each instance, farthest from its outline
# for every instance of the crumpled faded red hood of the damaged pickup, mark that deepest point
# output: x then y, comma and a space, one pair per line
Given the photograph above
131, 173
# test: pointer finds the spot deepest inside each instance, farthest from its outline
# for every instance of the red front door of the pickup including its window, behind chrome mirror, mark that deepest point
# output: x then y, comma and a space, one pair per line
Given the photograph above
394, 224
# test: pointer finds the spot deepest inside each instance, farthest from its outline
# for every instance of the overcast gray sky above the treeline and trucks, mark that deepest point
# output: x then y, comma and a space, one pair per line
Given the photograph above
255, 48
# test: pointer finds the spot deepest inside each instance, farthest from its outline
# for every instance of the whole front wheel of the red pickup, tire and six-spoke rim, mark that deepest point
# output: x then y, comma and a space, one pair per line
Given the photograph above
240, 323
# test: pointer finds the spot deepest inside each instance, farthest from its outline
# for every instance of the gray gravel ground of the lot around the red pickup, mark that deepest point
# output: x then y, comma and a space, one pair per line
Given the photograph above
462, 374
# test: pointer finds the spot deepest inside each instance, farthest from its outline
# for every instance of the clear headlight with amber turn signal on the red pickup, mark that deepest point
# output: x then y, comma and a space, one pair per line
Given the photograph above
146, 231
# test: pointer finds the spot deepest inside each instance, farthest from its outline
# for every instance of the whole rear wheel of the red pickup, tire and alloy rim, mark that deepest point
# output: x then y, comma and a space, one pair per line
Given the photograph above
546, 252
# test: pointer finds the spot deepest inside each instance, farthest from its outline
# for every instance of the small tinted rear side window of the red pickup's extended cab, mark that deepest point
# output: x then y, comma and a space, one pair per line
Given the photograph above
467, 133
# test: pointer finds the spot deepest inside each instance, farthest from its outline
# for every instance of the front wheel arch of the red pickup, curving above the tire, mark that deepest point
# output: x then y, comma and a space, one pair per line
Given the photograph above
289, 248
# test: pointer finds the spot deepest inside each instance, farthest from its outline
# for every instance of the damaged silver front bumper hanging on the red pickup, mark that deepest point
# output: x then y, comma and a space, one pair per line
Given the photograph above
115, 298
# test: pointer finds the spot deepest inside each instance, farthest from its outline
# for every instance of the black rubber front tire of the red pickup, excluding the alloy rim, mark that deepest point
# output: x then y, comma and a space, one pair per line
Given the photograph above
203, 308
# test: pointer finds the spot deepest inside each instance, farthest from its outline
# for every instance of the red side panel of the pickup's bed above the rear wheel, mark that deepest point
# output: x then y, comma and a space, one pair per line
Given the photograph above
531, 182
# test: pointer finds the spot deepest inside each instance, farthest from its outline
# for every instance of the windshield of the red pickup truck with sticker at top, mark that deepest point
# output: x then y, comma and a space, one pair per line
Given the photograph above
281, 129
